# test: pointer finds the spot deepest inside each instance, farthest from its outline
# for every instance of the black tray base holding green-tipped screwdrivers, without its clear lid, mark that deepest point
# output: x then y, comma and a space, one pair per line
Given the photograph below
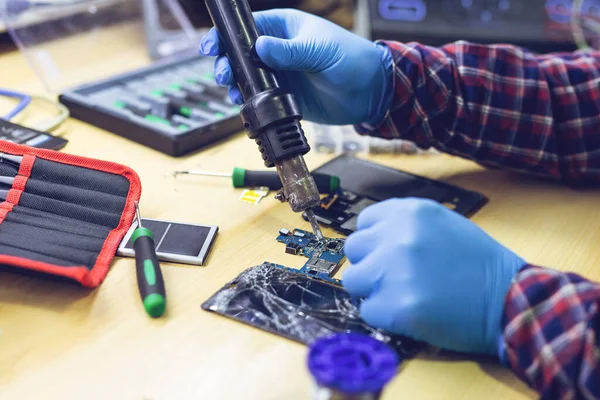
174, 107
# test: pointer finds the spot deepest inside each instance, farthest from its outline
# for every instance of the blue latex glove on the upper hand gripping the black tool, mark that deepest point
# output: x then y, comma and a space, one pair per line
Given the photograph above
336, 76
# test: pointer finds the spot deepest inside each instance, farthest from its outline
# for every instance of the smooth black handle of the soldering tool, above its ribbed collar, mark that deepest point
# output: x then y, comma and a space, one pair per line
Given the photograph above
235, 24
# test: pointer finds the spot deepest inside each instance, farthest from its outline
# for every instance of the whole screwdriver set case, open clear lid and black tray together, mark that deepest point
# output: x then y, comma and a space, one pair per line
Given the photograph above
88, 52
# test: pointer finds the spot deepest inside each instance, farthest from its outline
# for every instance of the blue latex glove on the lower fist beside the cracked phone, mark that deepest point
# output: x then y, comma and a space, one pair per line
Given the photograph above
430, 274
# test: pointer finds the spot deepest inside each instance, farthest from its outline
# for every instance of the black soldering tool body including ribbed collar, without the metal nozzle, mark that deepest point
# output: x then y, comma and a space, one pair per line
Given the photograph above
270, 115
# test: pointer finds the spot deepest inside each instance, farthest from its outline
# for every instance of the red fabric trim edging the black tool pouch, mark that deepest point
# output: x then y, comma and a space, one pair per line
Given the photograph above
80, 274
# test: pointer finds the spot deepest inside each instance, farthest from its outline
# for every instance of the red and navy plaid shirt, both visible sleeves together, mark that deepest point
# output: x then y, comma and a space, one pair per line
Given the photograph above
504, 107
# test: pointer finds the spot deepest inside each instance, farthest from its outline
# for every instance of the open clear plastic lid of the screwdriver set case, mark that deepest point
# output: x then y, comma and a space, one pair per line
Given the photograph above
71, 42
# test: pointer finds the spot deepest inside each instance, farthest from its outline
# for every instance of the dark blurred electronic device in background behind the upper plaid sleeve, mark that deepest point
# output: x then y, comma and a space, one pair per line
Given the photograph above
540, 25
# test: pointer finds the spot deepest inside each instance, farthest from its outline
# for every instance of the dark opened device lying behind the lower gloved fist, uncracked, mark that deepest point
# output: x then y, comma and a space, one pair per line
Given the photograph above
365, 183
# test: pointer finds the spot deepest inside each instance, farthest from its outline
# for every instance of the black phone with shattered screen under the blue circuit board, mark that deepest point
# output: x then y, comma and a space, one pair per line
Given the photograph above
297, 307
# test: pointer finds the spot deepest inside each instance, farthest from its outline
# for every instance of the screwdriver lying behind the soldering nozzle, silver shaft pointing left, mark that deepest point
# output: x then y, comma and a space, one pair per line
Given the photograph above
243, 178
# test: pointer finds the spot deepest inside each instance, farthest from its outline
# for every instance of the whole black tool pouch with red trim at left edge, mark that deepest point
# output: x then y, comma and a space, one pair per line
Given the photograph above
64, 215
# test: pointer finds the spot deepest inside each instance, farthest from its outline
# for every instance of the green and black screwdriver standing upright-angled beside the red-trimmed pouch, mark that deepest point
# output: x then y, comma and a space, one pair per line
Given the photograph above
150, 280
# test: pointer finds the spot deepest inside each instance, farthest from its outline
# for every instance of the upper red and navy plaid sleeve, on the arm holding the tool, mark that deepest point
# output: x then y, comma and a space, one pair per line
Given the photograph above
500, 106
